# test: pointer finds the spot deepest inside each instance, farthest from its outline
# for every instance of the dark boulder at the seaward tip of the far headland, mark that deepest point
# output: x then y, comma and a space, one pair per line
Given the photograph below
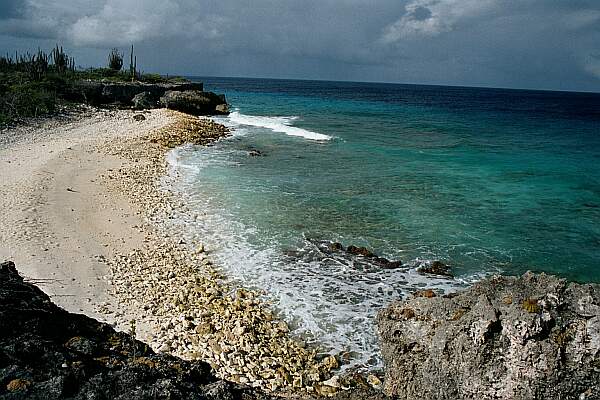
195, 102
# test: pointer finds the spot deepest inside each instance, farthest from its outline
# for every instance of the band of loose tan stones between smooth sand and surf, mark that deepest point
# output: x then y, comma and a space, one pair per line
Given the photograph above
173, 288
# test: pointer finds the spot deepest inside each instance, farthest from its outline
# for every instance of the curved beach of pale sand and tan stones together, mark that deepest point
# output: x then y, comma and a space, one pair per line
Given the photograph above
91, 240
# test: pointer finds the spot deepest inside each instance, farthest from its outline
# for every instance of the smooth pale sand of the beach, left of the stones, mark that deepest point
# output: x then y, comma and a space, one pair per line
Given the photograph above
57, 221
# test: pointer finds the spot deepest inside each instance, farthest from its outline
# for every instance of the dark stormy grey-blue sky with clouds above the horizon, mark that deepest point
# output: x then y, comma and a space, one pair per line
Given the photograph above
538, 44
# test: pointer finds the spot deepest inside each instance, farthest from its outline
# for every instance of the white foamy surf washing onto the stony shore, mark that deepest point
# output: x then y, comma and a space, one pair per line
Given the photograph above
329, 301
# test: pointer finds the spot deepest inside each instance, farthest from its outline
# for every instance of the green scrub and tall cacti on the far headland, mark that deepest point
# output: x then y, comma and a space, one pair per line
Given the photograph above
31, 84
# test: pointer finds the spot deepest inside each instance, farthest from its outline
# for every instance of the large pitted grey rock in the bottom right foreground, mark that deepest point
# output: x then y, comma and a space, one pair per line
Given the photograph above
529, 337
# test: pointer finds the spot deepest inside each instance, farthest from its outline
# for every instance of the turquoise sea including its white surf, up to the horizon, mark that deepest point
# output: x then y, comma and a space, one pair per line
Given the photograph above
484, 180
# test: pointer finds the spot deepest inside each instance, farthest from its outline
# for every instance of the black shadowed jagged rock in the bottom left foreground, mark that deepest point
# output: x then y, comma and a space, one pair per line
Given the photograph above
48, 353
